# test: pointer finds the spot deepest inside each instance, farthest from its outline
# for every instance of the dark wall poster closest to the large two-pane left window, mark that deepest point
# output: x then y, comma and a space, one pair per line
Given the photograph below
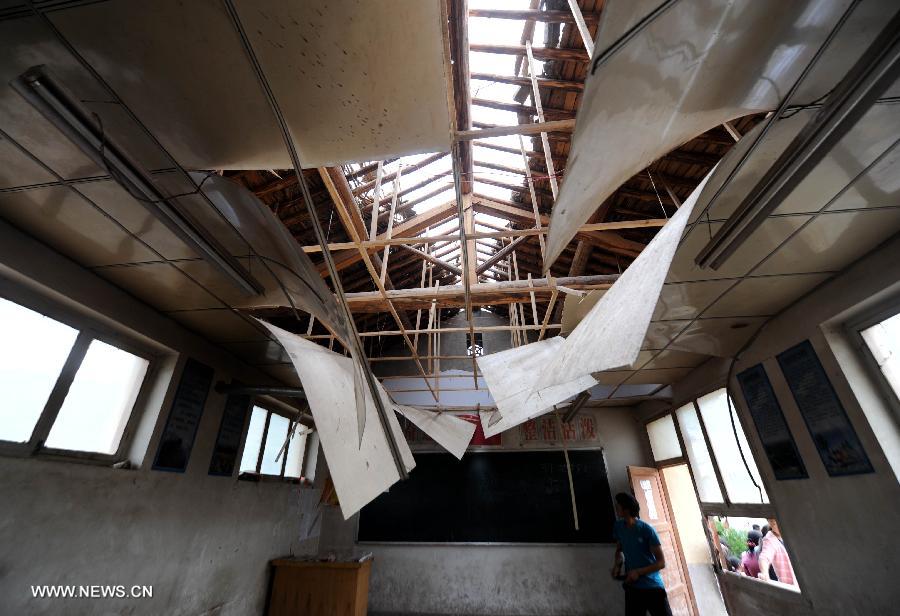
184, 418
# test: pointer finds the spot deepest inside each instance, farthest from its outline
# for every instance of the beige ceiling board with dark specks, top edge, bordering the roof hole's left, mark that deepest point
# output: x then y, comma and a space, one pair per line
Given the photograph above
357, 80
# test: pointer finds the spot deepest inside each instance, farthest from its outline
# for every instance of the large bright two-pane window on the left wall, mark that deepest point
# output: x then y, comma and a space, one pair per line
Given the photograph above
64, 389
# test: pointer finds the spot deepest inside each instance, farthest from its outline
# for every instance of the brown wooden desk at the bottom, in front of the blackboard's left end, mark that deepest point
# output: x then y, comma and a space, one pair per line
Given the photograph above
309, 588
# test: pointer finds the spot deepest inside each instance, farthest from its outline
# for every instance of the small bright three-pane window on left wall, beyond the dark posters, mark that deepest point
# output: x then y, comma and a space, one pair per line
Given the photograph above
268, 450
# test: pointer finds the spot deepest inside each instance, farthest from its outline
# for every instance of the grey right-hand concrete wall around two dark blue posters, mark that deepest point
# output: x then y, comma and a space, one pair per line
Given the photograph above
839, 530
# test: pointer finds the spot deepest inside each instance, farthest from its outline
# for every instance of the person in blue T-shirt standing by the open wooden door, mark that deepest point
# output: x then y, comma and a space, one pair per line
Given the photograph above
639, 543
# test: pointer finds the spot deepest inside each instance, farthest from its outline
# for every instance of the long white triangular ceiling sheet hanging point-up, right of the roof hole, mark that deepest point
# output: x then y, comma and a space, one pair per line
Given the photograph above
611, 334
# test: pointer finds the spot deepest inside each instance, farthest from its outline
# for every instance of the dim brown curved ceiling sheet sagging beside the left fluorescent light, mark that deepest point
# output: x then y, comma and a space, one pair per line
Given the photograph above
288, 275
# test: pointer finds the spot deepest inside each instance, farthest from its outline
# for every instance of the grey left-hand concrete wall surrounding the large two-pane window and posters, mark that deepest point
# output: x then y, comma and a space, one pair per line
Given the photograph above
202, 542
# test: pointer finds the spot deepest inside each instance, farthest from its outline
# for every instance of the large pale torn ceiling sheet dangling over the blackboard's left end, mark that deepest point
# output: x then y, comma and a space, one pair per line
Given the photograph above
360, 471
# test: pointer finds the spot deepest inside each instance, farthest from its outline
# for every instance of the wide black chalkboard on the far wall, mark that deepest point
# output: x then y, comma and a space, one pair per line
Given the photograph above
515, 497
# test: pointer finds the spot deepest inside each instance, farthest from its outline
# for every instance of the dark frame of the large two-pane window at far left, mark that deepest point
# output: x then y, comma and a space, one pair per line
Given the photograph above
88, 331
